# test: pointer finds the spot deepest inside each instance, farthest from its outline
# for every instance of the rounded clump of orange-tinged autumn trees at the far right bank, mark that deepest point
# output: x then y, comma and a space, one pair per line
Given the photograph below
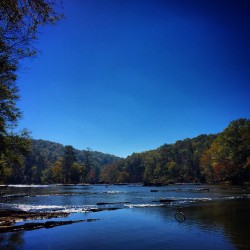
227, 159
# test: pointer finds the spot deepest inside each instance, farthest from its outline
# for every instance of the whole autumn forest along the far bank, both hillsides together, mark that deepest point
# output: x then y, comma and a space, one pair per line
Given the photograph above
215, 158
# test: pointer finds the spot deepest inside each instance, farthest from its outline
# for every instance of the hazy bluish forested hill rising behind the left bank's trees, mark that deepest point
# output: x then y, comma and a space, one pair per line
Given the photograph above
44, 155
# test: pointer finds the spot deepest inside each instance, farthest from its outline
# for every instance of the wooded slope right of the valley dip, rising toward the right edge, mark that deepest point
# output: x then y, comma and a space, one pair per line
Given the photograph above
216, 158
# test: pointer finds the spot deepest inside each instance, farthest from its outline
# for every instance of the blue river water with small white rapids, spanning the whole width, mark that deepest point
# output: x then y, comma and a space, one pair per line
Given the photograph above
217, 218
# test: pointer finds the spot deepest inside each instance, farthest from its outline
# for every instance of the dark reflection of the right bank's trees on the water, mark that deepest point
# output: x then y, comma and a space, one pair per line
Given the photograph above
231, 217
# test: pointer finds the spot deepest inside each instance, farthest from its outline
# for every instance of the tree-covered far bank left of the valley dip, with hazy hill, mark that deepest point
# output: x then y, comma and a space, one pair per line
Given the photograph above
48, 162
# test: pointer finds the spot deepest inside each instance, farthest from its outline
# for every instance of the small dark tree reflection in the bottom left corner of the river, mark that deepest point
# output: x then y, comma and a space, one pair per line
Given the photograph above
11, 241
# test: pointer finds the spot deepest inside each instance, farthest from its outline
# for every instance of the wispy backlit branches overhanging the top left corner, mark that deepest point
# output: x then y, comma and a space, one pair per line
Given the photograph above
20, 21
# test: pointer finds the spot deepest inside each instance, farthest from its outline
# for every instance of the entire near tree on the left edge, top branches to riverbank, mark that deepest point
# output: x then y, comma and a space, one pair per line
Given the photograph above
19, 23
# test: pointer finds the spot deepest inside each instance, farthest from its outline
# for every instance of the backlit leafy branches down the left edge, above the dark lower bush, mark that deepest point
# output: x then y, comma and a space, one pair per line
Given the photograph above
19, 23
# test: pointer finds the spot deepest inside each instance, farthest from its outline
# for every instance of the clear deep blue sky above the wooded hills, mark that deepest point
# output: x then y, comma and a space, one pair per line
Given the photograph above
124, 76
